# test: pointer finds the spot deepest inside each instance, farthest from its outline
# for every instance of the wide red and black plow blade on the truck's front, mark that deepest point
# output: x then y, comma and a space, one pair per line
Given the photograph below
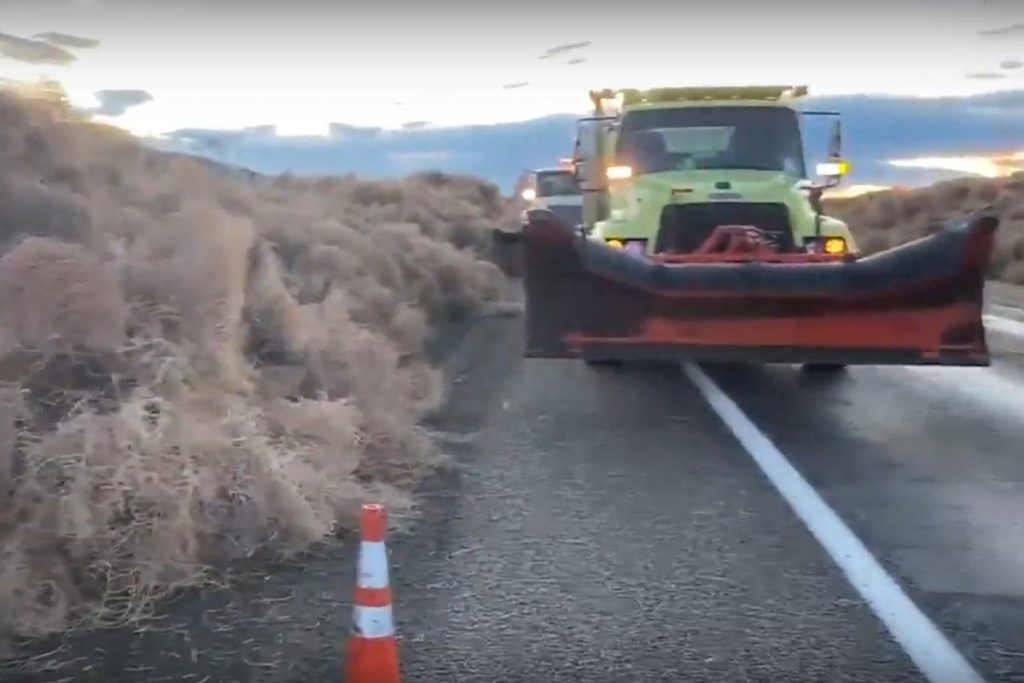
920, 304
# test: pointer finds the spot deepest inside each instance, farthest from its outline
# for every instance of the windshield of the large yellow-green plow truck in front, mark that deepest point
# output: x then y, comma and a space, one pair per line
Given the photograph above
762, 139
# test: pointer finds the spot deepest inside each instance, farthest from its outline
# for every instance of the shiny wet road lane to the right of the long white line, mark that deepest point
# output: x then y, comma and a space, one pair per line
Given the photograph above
927, 467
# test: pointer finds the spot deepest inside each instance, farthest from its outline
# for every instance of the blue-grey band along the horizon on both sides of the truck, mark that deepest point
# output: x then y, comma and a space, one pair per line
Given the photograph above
877, 130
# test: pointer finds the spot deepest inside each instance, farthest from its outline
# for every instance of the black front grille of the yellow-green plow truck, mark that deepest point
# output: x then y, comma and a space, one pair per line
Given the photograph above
686, 227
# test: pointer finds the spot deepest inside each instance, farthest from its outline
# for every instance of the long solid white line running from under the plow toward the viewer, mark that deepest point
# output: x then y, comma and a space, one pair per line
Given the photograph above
937, 659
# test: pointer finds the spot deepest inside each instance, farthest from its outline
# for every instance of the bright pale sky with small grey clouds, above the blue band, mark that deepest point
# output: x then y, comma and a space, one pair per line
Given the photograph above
158, 66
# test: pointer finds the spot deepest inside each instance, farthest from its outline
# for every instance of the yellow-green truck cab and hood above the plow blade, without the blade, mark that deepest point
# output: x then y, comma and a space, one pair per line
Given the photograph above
661, 169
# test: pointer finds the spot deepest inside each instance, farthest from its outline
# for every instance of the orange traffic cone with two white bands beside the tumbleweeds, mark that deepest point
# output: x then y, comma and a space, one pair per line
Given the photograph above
372, 656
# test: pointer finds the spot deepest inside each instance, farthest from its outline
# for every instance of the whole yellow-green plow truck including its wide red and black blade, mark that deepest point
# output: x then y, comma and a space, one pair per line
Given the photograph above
703, 239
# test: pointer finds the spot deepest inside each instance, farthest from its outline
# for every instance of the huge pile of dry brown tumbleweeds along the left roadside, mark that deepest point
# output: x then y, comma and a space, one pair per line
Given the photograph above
196, 368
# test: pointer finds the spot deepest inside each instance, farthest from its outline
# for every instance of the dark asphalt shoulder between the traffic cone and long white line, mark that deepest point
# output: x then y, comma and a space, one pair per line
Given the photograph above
610, 530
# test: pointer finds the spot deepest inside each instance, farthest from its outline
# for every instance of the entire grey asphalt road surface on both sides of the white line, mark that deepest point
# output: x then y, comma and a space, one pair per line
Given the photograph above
608, 527
